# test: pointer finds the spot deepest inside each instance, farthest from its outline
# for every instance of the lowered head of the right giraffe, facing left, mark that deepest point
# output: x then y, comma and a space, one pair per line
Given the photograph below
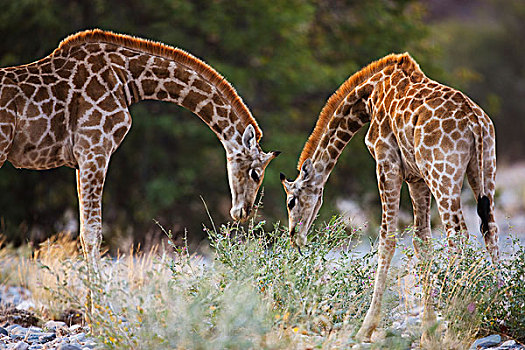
304, 198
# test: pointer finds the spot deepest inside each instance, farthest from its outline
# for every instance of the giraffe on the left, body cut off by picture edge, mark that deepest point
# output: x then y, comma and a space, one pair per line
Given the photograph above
71, 108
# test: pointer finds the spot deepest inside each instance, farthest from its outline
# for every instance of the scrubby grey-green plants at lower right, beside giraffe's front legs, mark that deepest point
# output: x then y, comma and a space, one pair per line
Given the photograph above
474, 297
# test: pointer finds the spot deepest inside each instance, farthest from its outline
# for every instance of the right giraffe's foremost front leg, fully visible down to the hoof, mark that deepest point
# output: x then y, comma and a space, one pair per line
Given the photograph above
389, 183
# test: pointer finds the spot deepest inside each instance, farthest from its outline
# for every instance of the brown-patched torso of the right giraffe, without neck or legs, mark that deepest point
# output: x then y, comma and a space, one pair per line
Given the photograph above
425, 122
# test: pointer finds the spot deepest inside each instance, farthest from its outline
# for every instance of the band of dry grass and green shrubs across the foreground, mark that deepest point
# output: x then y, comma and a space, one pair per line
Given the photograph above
257, 292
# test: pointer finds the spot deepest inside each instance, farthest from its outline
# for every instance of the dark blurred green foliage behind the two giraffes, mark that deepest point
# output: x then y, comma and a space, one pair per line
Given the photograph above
285, 58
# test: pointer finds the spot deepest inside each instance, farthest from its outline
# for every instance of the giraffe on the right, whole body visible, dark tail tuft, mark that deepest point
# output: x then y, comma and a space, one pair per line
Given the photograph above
421, 132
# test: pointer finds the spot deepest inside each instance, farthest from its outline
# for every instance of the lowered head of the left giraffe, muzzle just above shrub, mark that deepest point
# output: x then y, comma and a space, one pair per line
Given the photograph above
245, 174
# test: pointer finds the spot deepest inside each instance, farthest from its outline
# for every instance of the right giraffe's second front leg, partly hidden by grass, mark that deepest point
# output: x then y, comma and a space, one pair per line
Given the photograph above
421, 199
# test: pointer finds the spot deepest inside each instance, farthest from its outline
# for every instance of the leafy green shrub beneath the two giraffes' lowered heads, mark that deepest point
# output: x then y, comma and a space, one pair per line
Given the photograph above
315, 292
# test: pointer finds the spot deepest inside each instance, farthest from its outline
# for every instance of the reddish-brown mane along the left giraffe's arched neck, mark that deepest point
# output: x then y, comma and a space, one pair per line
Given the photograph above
176, 54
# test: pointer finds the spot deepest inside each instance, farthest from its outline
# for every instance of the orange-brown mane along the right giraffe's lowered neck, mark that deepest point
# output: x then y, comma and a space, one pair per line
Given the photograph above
337, 97
